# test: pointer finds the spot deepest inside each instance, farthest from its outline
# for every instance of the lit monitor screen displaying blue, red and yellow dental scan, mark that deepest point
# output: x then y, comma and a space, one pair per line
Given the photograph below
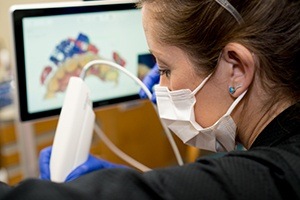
58, 47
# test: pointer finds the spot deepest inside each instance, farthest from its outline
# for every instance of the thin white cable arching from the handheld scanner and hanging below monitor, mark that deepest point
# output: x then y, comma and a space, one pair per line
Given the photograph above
109, 144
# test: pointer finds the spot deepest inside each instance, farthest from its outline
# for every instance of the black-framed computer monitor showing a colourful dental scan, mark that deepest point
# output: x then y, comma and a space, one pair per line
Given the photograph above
53, 41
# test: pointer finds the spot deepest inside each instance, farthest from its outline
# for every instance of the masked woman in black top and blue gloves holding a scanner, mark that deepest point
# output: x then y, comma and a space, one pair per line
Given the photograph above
229, 73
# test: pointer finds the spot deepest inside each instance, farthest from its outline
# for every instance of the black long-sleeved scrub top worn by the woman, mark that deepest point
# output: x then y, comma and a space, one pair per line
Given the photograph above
270, 169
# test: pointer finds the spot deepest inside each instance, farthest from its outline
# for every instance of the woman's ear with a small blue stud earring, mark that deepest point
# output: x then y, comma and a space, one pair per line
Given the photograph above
243, 67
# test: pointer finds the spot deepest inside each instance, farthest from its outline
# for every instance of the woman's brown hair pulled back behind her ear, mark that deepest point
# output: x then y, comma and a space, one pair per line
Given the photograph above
271, 30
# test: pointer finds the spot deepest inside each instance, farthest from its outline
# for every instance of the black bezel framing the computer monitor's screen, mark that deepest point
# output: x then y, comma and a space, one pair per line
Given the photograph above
18, 12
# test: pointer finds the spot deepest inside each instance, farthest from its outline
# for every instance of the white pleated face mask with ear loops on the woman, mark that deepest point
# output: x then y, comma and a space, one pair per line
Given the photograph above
176, 109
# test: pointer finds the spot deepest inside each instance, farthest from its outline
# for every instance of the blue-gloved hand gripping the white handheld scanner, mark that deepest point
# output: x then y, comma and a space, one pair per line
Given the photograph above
92, 164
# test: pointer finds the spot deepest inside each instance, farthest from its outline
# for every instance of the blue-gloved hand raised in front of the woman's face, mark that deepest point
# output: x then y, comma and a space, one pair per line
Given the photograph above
150, 80
